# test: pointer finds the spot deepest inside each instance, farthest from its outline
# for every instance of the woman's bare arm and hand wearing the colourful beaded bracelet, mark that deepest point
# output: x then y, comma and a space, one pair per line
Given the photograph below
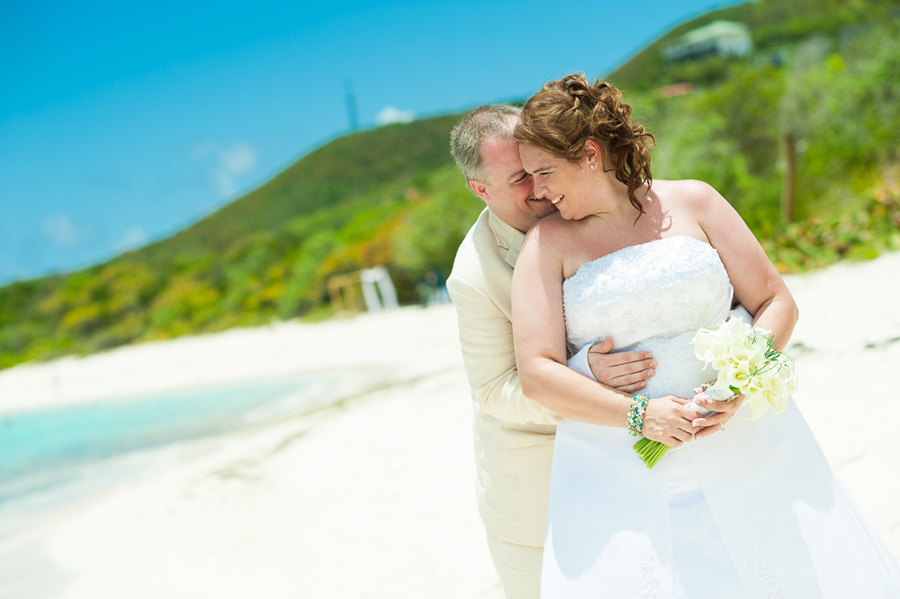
540, 342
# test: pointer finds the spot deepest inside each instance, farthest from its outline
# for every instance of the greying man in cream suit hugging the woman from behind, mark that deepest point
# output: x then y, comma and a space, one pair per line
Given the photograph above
513, 434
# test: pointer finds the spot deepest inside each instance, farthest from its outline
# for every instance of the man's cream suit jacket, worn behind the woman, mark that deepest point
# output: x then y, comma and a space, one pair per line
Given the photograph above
513, 434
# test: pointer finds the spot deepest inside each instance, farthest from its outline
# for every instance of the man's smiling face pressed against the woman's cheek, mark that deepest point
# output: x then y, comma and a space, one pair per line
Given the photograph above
509, 190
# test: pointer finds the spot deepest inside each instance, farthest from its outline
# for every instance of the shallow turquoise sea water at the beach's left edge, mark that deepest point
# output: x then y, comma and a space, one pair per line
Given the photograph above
52, 459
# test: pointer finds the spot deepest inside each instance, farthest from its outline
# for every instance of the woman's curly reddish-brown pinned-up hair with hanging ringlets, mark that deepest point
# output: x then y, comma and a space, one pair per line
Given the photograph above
566, 113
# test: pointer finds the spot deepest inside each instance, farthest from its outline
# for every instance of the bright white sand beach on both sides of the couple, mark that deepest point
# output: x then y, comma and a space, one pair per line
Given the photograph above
375, 497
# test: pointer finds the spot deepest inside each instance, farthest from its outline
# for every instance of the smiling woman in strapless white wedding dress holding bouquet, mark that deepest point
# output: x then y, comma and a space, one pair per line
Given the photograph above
754, 512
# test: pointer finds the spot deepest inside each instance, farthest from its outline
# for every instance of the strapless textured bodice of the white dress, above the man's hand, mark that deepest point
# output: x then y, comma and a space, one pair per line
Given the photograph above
657, 289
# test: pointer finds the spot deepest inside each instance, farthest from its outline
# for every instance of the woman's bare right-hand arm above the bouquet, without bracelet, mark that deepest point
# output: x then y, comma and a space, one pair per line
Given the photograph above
757, 285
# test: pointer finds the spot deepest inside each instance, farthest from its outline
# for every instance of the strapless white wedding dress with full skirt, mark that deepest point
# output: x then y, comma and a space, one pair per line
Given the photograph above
751, 512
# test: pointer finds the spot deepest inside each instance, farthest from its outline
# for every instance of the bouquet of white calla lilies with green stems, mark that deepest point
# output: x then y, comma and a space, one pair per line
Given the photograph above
747, 362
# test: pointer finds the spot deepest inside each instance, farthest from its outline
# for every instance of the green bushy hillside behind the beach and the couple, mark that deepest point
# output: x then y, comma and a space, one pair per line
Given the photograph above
821, 92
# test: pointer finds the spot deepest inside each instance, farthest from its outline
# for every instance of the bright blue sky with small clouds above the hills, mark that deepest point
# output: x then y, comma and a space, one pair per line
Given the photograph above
121, 123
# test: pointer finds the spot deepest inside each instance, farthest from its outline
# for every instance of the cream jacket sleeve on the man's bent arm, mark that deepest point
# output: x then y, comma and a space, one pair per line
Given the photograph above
485, 334
